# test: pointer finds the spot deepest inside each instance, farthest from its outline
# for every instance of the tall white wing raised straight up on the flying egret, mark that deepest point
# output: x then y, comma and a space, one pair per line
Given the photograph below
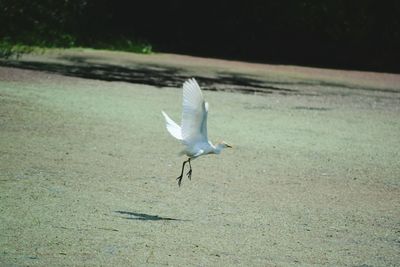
194, 114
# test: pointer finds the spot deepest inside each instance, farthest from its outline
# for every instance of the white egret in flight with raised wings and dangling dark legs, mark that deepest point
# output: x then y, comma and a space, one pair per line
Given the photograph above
193, 131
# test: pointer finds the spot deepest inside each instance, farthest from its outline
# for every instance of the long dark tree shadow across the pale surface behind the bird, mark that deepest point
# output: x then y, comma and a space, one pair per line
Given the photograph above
149, 74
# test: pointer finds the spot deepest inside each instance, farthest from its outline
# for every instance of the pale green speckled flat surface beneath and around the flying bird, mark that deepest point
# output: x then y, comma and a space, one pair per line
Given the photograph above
87, 169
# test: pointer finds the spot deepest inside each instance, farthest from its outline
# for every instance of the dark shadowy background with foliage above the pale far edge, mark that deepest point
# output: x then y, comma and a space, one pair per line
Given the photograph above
345, 34
